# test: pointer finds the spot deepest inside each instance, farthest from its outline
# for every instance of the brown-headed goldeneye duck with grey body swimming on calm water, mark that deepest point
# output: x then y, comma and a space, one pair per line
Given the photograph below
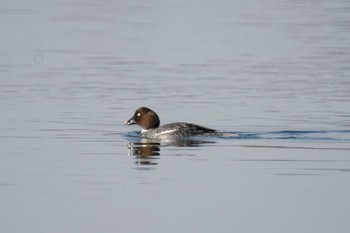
149, 121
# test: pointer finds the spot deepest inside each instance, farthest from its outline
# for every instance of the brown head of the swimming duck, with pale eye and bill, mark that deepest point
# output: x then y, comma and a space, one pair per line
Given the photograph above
144, 117
